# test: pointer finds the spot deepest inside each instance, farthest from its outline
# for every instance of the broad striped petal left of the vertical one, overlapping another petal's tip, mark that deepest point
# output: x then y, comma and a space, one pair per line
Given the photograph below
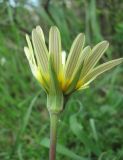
41, 51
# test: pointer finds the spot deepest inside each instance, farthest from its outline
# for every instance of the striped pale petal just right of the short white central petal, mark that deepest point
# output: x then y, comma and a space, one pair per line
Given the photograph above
73, 56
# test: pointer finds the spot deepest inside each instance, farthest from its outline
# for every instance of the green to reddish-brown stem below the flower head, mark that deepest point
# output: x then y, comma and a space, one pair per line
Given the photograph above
53, 136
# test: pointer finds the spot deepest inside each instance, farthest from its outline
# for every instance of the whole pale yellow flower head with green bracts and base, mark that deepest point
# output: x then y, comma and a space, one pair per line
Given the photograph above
59, 75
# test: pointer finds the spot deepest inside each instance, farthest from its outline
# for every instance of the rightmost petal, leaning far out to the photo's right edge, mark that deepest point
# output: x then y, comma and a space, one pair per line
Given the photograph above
101, 69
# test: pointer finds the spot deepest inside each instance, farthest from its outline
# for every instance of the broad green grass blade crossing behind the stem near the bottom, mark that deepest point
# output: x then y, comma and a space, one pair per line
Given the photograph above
62, 150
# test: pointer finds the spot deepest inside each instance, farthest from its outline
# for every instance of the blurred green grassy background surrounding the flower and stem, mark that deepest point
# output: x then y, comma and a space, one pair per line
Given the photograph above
91, 127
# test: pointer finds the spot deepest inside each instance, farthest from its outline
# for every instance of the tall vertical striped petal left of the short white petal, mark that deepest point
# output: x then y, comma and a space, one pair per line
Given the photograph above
55, 49
